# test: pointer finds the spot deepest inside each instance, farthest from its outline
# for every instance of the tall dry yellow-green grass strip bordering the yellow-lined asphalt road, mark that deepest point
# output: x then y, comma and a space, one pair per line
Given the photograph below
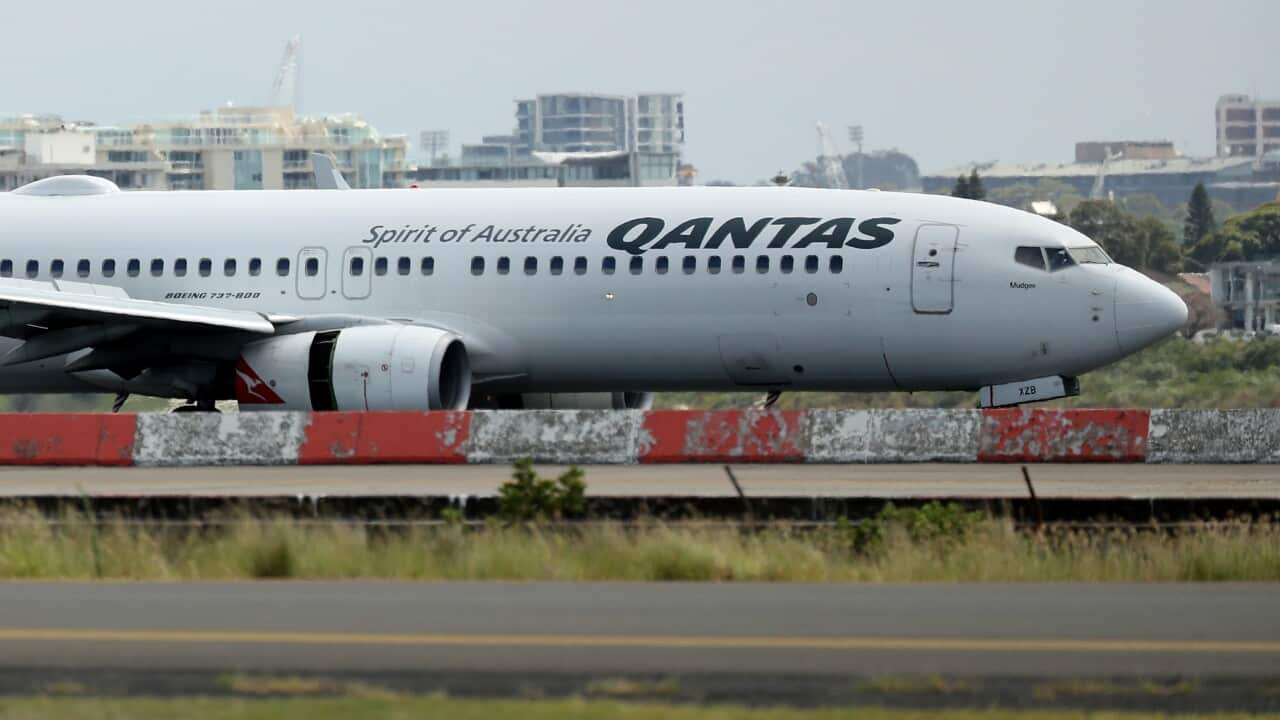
935, 544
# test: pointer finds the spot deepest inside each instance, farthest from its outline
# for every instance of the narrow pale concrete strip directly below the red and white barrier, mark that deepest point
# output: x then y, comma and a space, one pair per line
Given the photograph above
988, 481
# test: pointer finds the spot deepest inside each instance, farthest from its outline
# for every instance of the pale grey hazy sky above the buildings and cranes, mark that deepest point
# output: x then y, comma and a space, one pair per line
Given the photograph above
948, 83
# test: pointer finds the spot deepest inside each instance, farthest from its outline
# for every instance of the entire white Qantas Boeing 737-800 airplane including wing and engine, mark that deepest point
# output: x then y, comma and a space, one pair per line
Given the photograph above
339, 299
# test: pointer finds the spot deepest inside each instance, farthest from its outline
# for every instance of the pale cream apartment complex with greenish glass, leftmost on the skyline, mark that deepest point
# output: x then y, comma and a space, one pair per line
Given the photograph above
225, 149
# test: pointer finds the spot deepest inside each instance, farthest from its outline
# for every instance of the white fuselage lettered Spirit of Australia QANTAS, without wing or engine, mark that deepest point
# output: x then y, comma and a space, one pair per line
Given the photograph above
927, 297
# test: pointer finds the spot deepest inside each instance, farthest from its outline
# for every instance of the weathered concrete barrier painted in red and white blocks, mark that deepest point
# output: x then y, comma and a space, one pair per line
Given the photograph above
656, 436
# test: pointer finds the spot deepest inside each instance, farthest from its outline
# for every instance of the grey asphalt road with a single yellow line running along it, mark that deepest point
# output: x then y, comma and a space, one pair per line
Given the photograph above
747, 631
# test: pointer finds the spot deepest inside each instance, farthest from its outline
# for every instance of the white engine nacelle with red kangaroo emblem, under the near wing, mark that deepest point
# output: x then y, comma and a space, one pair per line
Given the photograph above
363, 368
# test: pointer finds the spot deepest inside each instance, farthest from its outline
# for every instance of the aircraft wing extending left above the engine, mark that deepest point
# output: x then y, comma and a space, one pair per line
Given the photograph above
63, 317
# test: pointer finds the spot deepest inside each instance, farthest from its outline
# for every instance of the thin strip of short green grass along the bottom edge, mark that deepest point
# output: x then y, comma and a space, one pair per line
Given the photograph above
397, 708
